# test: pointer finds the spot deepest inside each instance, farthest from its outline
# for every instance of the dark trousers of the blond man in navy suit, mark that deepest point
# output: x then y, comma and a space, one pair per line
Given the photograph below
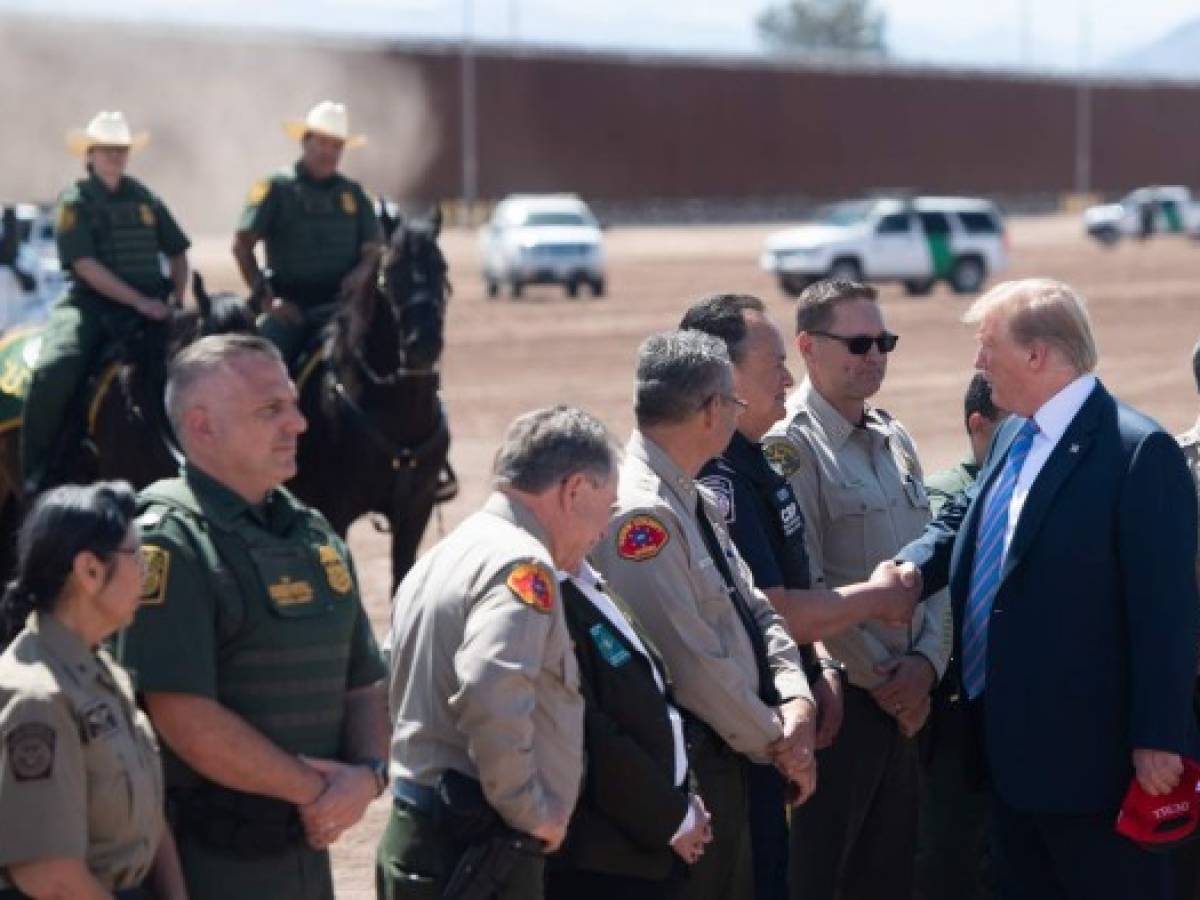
1059, 857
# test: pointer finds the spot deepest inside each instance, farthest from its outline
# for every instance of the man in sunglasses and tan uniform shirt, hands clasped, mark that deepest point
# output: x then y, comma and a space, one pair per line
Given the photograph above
860, 484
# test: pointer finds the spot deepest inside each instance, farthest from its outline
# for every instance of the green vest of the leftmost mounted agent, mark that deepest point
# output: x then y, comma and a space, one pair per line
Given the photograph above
125, 236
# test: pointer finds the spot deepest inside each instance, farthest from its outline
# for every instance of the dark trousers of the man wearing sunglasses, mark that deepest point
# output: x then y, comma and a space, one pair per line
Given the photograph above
856, 837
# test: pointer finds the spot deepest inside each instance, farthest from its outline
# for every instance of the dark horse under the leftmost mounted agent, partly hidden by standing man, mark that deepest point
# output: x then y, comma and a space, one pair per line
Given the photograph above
118, 427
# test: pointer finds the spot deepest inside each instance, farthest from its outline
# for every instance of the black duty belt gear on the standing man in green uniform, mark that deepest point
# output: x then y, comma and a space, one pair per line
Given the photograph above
241, 825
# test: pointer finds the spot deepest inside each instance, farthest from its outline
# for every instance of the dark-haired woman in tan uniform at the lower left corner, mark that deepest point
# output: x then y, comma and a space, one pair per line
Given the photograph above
81, 785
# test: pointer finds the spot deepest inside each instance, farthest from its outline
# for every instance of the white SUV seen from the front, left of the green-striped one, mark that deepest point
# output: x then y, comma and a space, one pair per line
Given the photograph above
550, 239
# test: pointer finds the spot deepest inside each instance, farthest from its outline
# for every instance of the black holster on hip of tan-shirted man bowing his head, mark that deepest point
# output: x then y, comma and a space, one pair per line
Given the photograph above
494, 849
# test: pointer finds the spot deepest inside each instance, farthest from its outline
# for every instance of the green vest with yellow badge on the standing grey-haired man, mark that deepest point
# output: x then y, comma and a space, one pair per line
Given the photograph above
286, 614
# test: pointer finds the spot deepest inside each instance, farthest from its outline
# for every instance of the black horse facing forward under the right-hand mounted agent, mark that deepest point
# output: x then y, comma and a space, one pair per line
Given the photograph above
377, 437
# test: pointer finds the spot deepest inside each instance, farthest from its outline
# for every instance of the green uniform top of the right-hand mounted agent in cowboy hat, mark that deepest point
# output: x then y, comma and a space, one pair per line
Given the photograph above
315, 232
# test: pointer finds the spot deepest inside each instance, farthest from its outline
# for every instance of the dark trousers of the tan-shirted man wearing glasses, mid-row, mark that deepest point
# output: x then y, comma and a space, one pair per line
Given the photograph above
725, 872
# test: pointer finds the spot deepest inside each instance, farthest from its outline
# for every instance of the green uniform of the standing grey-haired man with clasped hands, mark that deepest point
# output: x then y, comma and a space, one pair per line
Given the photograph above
259, 609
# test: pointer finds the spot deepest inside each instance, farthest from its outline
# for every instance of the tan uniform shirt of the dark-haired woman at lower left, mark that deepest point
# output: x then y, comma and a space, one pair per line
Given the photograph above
80, 773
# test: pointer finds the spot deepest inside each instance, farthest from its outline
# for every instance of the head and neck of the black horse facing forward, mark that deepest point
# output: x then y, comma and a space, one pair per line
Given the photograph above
393, 321
